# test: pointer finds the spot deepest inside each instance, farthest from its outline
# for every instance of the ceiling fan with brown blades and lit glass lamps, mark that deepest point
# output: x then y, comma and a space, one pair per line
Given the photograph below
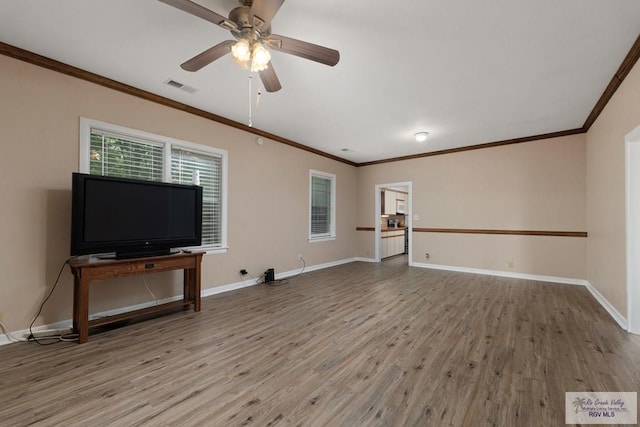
250, 24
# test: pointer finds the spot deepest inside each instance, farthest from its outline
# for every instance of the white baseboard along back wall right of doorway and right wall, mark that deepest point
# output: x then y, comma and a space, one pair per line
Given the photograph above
615, 314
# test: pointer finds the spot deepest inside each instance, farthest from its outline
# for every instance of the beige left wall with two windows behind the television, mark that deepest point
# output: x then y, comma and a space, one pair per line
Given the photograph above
39, 131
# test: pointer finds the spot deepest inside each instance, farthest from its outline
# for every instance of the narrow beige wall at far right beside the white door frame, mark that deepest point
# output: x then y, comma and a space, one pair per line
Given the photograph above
606, 248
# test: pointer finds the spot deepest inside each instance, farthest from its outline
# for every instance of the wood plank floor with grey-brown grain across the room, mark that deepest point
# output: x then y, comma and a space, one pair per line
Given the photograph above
356, 345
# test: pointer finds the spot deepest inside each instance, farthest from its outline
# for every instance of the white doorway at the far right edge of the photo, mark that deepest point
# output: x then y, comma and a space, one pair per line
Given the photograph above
632, 168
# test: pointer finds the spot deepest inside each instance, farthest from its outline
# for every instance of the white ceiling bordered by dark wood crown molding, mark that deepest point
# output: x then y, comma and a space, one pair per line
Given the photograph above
468, 72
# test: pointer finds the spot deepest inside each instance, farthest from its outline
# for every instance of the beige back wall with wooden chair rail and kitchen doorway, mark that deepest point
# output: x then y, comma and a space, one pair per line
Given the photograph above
530, 186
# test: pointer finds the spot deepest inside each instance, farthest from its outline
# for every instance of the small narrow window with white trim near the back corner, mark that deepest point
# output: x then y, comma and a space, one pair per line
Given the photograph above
322, 202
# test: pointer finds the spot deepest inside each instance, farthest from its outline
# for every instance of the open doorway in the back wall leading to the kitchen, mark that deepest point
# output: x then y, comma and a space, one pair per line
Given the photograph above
393, 220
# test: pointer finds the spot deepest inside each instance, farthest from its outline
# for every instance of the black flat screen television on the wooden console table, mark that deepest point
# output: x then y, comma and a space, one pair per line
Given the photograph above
133, 218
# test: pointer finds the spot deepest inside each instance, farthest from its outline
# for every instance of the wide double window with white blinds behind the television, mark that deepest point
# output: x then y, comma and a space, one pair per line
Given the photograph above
112, 150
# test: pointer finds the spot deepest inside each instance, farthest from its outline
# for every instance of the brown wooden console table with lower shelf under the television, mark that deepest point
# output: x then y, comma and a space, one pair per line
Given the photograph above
86, 271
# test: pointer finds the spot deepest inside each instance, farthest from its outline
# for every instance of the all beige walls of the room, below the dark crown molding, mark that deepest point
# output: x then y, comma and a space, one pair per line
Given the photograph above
572, 183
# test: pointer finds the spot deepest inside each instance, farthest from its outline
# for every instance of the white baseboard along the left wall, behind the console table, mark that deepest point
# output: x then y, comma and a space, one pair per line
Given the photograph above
204, 293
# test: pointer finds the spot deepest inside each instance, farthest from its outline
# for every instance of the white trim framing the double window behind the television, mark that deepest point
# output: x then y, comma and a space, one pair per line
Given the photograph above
86, 125
